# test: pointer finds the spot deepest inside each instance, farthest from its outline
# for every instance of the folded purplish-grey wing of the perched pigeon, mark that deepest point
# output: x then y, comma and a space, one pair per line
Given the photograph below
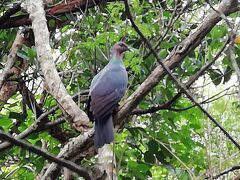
105, 96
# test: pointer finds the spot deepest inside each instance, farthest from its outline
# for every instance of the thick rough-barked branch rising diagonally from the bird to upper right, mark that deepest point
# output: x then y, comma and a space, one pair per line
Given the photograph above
176, 57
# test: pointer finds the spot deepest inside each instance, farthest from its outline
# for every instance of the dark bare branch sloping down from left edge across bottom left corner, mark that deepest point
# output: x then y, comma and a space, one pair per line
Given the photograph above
68, 164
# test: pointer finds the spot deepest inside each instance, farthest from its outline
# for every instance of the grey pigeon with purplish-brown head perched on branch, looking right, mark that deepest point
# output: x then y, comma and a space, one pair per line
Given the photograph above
106, 90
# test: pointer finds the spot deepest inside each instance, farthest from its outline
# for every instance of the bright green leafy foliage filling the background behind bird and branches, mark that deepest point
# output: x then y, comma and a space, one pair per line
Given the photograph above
166, 144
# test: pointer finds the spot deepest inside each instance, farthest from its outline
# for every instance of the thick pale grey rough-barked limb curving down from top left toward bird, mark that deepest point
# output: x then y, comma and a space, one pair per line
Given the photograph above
76, 117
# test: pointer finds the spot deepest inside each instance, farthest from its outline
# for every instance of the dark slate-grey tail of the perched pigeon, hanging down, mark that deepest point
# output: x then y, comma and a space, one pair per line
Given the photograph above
103, 132
